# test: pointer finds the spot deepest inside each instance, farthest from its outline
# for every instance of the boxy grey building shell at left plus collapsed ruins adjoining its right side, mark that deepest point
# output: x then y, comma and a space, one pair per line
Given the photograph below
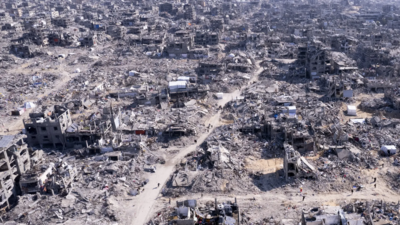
55, 127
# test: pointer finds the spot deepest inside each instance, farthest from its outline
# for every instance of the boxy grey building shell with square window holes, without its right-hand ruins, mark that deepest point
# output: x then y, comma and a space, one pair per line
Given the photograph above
48, 128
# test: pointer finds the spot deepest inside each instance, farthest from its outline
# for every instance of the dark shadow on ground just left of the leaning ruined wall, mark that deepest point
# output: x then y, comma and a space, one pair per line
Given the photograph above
268, 182
